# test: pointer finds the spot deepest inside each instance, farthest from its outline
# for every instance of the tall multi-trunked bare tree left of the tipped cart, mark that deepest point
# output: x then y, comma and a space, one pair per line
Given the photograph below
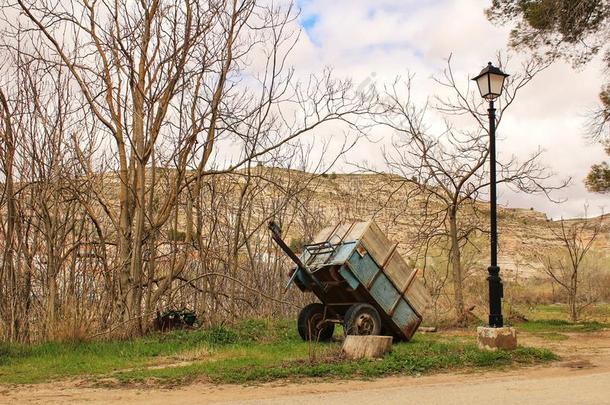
163, 92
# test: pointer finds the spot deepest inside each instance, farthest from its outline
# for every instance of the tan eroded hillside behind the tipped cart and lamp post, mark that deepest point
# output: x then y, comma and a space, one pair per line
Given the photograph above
525, 235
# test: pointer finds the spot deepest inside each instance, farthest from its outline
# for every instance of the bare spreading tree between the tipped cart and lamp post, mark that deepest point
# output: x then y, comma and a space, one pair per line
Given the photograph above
444, 174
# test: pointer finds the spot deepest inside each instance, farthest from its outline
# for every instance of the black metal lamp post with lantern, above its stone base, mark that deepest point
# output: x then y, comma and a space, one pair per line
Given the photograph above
491, 82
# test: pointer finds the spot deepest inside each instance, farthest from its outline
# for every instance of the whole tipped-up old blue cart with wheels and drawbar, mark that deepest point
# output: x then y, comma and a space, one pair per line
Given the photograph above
362, 282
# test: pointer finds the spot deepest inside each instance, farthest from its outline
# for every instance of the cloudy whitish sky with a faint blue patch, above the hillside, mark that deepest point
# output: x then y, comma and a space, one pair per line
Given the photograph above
378, 40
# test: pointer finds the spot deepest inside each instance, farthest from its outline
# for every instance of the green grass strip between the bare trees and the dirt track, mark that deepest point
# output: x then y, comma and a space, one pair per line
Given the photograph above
253, 351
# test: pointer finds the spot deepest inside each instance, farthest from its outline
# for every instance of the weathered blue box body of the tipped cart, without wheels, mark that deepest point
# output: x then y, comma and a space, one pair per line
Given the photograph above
344, 272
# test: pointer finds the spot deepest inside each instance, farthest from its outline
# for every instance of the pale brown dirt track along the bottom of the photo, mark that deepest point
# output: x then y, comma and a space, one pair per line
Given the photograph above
581, 377
